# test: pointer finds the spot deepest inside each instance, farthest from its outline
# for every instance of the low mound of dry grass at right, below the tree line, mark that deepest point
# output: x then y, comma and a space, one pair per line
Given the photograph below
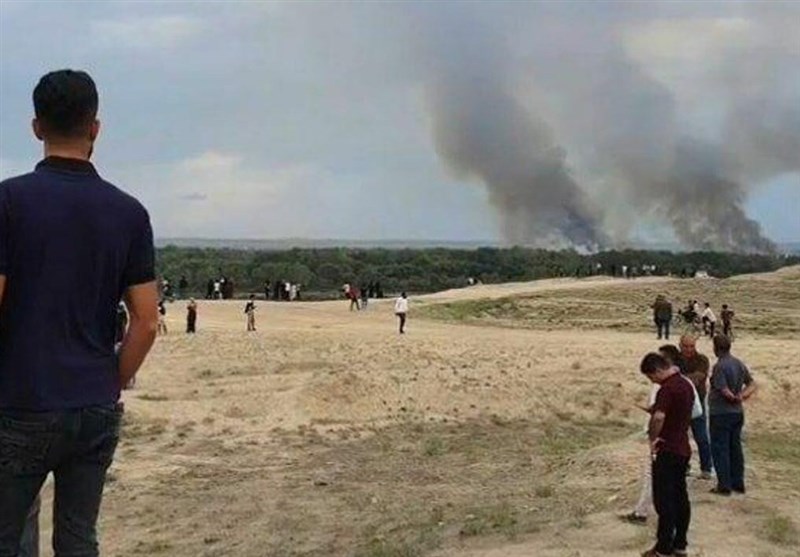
765, 305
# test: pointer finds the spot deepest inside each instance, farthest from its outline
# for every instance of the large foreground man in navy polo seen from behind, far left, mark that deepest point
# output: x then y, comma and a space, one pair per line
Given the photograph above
71, 246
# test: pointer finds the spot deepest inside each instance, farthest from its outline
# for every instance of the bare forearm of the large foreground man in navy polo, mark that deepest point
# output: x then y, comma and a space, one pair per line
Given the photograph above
142, 303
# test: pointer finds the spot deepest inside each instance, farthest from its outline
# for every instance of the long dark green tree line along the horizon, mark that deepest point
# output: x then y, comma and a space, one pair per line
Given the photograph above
322, 272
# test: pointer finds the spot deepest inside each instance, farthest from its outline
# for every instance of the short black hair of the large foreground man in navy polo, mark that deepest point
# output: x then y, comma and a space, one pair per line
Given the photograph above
65, 102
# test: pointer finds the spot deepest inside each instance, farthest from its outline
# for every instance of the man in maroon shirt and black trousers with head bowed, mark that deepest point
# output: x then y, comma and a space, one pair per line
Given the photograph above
669, 441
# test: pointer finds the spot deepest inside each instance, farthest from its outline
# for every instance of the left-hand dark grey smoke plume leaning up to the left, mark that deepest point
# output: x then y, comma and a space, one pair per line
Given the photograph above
482, 131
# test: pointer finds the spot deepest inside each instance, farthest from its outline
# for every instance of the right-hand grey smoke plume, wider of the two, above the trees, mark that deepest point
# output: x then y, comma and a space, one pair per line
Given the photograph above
630, 129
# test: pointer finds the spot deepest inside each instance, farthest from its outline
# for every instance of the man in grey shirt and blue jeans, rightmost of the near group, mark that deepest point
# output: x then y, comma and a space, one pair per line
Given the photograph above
731, 385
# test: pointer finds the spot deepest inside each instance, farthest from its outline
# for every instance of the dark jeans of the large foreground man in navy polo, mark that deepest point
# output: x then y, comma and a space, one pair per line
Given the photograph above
77, 447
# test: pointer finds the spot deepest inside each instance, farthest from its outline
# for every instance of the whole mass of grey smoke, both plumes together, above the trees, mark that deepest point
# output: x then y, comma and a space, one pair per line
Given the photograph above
617, 119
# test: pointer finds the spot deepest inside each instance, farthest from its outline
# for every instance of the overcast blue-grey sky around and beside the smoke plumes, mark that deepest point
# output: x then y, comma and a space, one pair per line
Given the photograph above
275, 120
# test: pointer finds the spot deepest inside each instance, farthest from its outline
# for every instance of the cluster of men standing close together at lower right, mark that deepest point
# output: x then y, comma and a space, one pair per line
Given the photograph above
685, 397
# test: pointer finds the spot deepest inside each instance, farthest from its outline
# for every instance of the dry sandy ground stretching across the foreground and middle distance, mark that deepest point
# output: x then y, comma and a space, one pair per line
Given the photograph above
326, 433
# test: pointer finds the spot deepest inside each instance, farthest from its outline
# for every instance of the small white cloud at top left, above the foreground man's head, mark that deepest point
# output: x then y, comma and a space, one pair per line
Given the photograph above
146, 32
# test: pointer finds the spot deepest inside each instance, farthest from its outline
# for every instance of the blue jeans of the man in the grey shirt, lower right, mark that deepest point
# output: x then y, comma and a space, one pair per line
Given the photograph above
726, 446
